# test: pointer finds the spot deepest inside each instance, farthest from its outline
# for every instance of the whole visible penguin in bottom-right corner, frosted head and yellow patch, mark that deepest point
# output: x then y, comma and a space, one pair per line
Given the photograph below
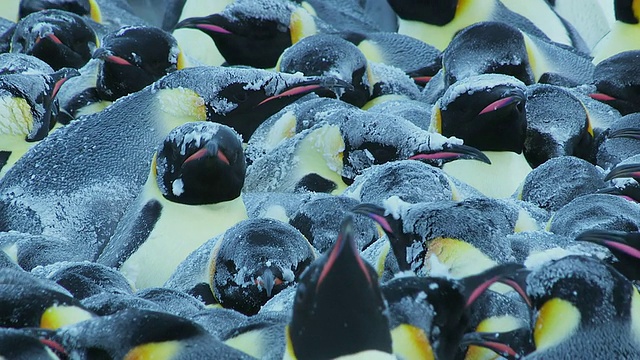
583, 306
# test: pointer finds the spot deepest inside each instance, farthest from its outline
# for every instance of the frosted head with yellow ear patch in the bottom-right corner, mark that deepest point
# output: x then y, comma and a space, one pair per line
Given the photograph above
575, 293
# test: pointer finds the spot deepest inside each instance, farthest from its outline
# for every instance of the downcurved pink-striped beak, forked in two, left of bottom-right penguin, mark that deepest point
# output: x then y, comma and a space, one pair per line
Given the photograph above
476, 285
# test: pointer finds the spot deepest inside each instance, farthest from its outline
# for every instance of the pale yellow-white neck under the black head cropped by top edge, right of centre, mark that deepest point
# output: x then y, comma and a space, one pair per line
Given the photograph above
467, 13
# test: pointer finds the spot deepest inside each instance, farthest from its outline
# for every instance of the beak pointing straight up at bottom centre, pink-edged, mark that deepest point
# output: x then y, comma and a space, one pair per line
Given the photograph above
344, 250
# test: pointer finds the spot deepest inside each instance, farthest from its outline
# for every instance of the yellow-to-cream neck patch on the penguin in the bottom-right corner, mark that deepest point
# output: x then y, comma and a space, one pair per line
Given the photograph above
557, 320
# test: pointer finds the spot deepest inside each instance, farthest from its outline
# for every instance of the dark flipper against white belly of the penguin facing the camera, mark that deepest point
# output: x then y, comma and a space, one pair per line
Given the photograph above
128, 238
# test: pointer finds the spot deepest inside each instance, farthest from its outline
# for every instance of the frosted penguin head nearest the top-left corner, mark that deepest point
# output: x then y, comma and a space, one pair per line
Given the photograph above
59, 38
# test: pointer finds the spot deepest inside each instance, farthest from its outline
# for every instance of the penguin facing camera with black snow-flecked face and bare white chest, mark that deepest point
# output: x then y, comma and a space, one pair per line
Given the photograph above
194, 183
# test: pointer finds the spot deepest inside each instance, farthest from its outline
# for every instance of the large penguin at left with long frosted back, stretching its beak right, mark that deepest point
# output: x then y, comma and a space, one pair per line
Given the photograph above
98, 185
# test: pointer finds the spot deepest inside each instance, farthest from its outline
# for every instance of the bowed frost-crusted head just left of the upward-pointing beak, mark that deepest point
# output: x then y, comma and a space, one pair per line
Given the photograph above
255, 260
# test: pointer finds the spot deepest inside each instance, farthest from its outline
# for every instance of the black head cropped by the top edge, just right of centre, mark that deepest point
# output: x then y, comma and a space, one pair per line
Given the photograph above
438, 12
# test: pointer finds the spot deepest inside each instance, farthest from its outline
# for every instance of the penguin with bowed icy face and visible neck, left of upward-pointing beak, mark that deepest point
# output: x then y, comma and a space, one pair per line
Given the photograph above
245, 267
